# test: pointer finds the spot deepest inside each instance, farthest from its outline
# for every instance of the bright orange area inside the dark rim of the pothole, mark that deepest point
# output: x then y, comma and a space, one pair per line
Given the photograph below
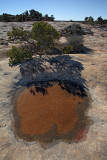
40, 112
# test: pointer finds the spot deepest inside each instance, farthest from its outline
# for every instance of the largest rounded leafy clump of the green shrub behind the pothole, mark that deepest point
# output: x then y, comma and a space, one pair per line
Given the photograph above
44, 34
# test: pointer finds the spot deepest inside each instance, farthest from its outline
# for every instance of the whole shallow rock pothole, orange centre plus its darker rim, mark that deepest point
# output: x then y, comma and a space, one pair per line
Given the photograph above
49, 111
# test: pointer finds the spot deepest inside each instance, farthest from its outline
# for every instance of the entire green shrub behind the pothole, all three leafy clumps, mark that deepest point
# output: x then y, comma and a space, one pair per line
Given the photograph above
40, 38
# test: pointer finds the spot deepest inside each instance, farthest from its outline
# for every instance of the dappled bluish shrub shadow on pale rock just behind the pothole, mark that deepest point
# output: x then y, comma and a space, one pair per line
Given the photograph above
61, 67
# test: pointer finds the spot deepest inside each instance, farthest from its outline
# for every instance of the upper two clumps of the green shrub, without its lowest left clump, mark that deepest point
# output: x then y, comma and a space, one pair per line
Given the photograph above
42, 35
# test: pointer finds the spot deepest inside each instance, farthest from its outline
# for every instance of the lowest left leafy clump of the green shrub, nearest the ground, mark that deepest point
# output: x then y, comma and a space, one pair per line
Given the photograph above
17, 55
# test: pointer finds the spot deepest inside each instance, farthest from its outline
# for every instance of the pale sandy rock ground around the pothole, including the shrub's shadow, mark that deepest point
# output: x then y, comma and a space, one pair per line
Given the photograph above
89, 69
